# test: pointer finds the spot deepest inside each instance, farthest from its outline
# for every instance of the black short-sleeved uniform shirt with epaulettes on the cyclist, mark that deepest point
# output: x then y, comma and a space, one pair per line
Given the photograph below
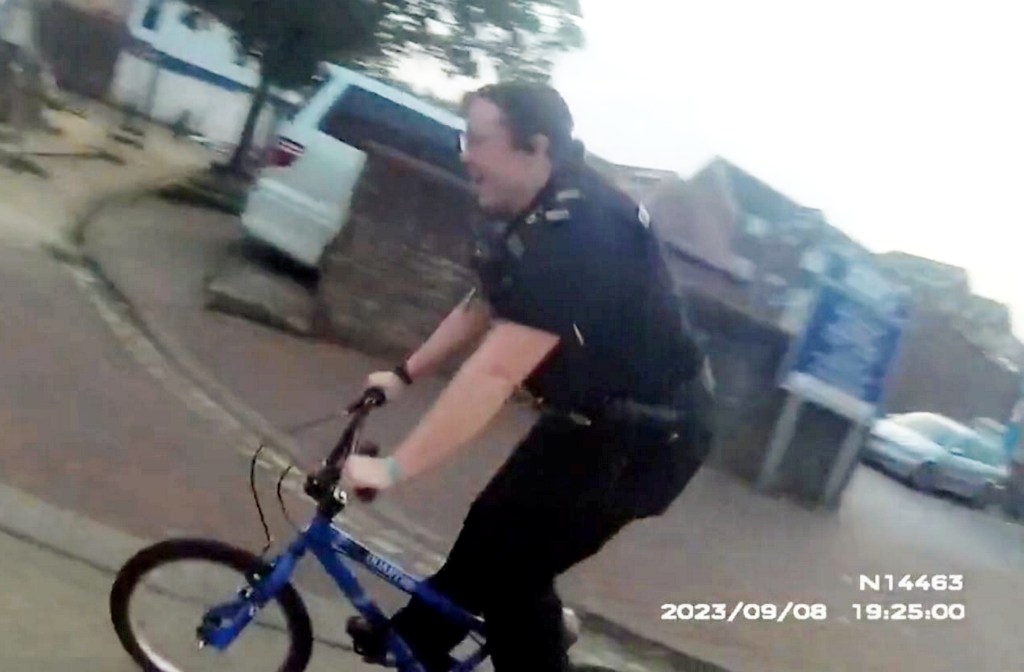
582, 264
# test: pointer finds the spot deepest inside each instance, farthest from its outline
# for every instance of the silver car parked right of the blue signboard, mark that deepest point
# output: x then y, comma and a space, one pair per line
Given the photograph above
936, 454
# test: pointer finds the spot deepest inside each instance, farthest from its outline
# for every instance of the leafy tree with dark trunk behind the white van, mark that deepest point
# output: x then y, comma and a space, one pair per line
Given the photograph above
290, 38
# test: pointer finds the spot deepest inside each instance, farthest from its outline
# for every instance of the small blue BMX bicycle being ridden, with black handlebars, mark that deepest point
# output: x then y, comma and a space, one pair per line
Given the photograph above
267, 585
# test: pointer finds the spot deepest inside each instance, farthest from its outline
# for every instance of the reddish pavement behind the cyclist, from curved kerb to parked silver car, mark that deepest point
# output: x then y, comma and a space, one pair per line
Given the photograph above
720, 543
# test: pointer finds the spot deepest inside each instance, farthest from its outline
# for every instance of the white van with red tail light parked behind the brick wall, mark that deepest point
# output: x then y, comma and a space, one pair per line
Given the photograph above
303, 197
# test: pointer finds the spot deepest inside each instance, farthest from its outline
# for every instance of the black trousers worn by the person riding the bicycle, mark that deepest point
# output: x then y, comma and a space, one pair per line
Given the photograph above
565, 492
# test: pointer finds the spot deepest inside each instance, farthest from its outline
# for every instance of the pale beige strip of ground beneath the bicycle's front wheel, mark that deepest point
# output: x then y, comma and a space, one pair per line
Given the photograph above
58, 571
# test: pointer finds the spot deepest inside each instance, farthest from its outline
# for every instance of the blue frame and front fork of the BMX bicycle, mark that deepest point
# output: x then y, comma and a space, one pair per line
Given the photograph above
329, 543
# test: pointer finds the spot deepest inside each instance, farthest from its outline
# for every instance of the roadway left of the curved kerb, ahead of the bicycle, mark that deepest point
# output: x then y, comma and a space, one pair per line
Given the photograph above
92, 436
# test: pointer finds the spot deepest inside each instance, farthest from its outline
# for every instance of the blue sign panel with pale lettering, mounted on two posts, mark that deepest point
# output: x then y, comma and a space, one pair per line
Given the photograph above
849, 344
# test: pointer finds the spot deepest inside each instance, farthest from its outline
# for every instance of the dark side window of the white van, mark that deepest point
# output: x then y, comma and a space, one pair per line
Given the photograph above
360, 116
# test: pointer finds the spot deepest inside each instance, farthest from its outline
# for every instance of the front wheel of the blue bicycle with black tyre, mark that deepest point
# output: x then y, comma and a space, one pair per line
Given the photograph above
164, 596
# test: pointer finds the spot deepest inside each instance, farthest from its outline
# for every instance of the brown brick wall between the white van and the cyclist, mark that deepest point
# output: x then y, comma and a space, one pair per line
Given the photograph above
401, 263
